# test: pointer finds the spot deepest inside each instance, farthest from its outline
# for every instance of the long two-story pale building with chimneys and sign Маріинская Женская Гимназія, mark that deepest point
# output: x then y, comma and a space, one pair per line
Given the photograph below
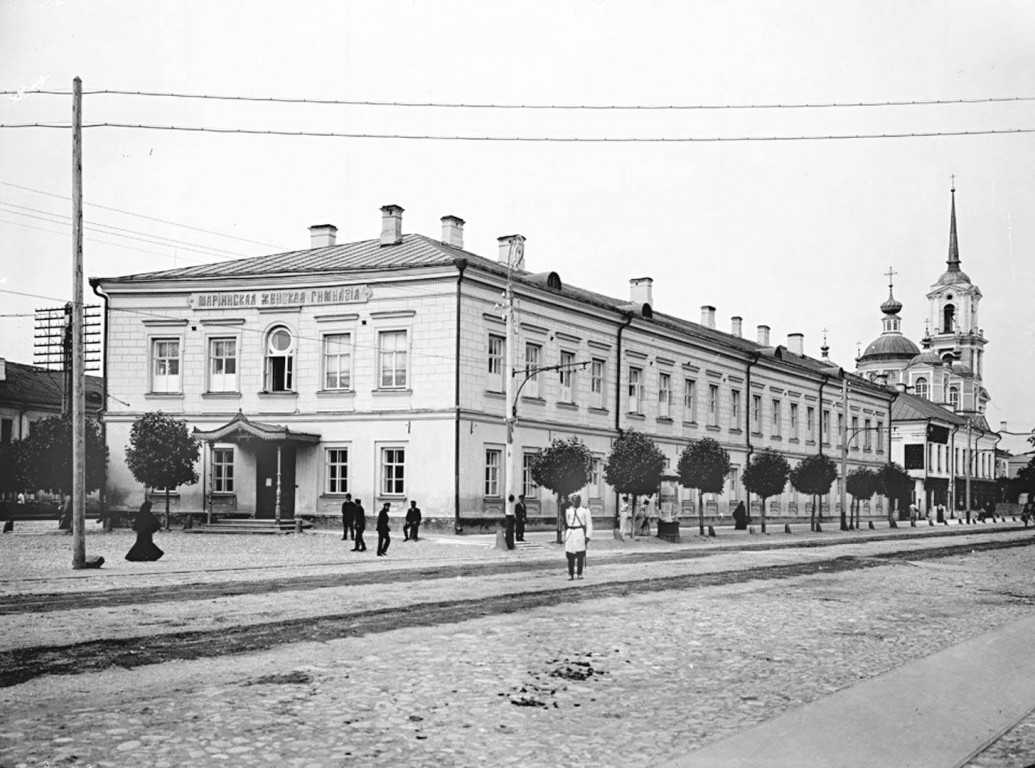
377, 368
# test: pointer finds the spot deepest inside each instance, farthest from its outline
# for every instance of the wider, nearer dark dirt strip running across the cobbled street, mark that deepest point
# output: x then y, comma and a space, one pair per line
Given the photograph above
25, 664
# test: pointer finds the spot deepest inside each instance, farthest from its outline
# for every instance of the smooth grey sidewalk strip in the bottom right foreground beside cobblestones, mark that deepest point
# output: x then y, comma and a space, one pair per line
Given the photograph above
936, 713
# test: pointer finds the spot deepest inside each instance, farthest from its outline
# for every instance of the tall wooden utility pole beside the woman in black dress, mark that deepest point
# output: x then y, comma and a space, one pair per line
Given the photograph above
78, 378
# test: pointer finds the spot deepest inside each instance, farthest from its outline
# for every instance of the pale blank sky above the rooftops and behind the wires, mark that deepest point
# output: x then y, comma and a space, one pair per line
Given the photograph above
797, 235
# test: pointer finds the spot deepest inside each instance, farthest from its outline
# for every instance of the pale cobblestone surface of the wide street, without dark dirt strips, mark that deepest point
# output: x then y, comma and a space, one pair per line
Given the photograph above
618, 681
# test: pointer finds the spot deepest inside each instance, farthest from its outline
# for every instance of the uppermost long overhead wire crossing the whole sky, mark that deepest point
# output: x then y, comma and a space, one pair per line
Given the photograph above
489, 106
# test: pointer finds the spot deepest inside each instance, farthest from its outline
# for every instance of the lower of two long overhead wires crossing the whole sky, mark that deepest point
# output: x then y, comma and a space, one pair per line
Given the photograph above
537, 140
